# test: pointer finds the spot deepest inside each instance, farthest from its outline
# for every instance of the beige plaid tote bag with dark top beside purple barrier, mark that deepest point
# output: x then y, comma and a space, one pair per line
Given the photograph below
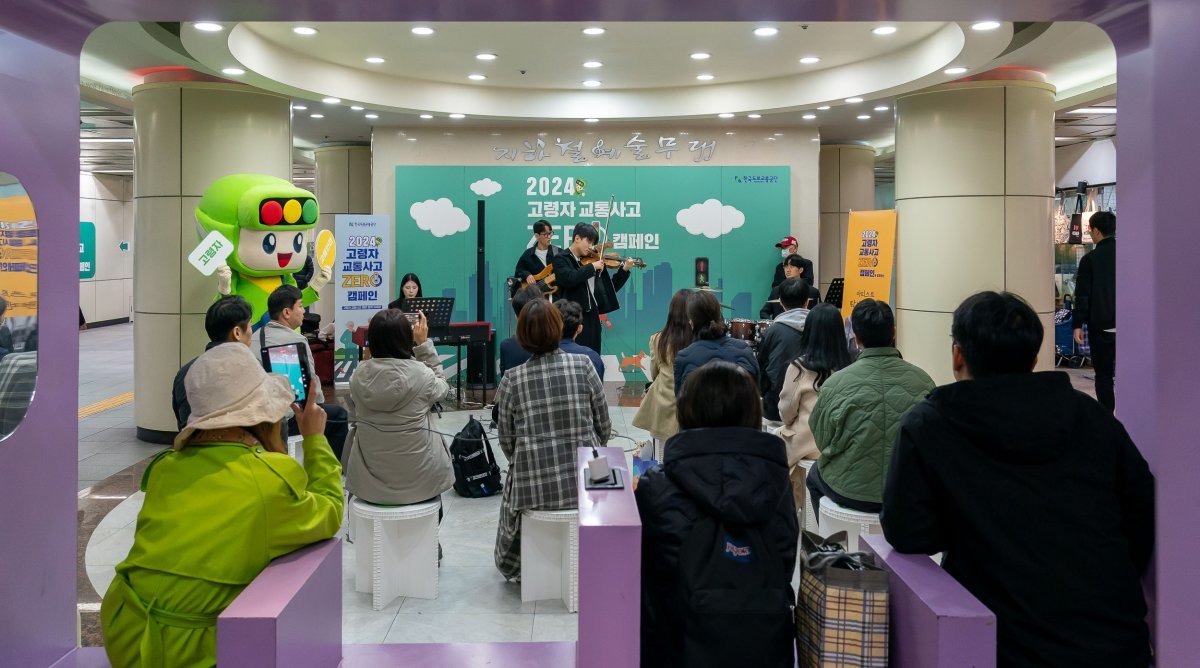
842, 611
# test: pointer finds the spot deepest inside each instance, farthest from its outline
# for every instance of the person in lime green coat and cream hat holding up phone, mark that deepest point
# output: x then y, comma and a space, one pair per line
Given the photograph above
219, 507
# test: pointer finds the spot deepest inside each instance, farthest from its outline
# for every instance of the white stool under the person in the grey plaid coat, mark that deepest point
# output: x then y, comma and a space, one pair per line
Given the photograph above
550, 557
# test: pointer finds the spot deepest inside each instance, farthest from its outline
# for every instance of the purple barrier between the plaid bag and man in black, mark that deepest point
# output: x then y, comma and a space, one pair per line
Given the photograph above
935, 622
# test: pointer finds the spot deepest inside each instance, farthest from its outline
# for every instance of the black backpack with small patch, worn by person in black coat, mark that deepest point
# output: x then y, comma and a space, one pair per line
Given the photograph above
737, 601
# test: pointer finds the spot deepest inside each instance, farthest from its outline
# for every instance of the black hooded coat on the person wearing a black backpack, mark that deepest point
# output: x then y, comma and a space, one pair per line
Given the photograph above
734, 474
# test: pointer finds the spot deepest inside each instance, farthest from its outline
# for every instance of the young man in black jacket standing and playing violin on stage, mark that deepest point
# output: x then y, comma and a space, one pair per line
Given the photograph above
589, 285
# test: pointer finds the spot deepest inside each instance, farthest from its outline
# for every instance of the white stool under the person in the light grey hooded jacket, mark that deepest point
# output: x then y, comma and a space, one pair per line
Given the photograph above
397, 551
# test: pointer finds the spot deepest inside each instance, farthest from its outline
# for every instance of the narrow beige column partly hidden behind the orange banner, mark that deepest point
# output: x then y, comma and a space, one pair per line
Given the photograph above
848, 184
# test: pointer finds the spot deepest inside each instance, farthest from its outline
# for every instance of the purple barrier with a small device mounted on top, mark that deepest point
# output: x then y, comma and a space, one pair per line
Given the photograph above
610, 570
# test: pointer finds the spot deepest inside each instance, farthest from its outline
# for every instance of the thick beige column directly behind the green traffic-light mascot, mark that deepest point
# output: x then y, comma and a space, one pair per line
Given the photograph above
189, 134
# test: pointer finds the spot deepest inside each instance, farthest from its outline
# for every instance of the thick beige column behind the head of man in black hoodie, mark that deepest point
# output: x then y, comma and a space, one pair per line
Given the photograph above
975, 188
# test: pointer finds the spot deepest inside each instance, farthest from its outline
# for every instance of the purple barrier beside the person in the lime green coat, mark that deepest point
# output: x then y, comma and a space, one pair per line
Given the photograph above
290, 616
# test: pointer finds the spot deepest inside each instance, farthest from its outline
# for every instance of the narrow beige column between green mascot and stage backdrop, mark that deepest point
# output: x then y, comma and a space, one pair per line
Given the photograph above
343, 186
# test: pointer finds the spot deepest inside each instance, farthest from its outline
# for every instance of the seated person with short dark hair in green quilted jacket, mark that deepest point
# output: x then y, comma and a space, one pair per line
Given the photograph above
859, 413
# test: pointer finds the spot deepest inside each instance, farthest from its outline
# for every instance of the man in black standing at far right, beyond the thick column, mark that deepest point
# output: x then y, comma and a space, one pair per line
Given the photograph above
1096, 304
